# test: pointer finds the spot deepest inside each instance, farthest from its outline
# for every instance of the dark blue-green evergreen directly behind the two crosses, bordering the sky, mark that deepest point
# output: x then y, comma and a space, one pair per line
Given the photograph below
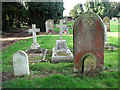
39, 12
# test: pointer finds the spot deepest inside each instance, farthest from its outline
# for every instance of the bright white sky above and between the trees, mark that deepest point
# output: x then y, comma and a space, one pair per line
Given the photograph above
69, 4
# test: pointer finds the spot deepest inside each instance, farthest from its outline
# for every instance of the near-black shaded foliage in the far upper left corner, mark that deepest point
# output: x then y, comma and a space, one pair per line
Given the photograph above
12, 12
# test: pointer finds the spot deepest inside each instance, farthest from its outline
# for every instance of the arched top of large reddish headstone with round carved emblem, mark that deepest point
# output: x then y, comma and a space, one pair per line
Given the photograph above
88, 21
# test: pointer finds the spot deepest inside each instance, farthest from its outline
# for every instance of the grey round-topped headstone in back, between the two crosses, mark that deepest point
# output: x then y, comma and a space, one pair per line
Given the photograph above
49, 25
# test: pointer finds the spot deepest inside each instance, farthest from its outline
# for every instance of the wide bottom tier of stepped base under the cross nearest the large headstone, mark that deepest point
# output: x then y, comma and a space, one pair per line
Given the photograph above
62, 56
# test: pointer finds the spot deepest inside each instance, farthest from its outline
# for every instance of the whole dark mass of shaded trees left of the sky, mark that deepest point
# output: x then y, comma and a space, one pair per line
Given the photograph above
15, 14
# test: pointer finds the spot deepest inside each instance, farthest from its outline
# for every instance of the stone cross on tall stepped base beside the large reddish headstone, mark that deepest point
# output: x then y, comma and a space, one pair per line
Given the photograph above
61, 53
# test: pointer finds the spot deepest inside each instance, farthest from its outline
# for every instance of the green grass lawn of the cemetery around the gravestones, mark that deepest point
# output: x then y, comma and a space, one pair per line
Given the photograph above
60, 75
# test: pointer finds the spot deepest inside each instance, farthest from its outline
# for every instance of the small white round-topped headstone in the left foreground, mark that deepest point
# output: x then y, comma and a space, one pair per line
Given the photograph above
20, 63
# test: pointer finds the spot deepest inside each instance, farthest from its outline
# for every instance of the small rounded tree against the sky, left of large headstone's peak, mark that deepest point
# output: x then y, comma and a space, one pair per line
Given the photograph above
77, 10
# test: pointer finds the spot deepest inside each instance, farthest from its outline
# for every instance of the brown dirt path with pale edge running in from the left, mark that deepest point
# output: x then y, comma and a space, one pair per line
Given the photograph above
8, 41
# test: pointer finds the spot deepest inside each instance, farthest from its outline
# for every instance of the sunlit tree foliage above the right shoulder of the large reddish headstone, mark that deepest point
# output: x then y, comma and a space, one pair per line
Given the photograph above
110, 9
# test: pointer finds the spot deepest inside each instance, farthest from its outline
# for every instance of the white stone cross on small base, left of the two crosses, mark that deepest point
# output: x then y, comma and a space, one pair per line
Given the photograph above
35, 45
